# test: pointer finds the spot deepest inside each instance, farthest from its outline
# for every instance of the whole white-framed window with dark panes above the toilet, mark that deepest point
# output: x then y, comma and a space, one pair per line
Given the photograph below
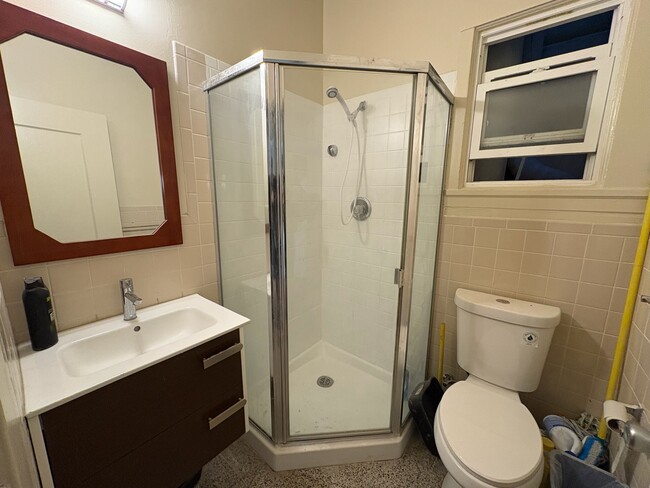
542, 94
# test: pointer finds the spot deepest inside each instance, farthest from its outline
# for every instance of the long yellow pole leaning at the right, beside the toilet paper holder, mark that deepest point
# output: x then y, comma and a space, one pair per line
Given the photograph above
628, 311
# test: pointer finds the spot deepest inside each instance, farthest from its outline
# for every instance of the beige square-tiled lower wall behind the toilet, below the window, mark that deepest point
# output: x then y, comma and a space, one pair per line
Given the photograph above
583, 269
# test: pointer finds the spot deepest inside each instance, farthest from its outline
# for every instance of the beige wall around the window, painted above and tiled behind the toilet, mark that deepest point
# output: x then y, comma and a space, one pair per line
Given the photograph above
536, 228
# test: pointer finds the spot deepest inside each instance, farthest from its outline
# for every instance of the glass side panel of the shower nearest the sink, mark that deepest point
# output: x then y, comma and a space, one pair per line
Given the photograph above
241, 195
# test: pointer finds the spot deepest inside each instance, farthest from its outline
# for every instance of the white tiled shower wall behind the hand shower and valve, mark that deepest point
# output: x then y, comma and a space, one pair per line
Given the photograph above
359, 259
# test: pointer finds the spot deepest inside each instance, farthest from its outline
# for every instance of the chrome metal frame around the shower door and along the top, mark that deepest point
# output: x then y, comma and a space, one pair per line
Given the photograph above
271, 64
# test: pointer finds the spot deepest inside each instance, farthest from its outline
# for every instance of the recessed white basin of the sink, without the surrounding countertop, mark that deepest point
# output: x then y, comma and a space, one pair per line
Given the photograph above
131, 339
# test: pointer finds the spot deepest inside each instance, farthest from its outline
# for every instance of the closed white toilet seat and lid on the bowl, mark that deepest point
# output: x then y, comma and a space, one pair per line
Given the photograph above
489, 433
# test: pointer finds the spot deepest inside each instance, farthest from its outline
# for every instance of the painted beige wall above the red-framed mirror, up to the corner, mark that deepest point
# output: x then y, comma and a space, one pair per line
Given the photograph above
227, 29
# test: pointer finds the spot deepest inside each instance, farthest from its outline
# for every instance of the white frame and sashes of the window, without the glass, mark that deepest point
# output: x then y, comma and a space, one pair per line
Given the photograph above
600, 58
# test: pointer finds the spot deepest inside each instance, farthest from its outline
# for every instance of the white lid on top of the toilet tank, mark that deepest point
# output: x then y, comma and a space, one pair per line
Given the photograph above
511, 310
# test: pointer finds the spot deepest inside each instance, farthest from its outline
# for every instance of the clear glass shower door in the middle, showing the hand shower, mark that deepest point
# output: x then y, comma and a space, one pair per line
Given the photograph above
346, 138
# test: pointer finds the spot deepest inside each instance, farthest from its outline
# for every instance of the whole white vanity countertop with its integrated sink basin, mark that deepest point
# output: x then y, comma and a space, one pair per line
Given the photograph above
93, 355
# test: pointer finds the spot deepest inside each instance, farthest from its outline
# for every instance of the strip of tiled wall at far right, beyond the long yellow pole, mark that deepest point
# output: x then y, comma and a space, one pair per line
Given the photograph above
635, 384
